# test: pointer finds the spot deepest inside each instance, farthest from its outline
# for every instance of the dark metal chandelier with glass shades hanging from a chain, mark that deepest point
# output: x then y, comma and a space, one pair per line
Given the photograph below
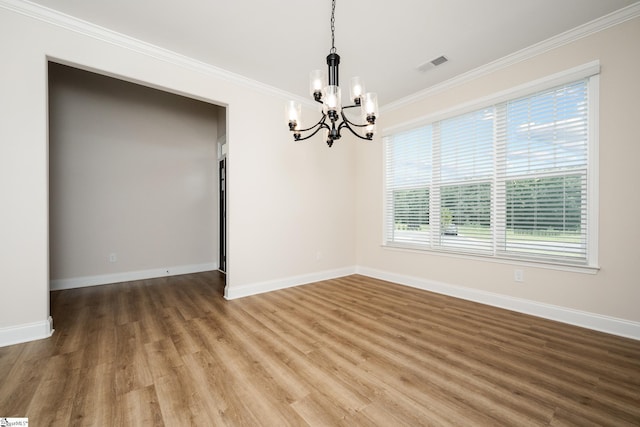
327, 92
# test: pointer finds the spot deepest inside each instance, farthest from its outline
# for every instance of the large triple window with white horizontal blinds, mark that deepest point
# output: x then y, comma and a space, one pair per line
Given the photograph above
511, 180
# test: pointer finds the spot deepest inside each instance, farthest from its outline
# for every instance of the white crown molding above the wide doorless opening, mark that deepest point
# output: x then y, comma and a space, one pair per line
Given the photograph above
68, 22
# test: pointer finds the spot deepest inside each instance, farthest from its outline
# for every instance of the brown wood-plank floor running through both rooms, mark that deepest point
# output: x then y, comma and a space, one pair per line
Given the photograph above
352, 351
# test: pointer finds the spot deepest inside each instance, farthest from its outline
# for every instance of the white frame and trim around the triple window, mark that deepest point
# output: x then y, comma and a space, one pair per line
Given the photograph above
589, 72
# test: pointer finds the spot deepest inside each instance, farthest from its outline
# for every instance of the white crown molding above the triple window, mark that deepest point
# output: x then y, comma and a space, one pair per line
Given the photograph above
626, 13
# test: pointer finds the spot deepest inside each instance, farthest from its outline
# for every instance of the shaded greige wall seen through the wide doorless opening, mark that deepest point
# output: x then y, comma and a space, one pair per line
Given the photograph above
133, 173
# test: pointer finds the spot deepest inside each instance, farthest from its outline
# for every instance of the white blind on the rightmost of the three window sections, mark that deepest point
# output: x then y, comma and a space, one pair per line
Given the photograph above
542, 143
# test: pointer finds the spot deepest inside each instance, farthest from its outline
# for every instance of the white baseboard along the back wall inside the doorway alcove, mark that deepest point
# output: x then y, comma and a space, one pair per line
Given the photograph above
81, 282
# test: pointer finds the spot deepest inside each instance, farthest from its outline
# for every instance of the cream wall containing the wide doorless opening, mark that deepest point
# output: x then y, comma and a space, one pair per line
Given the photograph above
277, 190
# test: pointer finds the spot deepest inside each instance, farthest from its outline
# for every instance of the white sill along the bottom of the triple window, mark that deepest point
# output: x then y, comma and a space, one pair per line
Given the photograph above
574, 268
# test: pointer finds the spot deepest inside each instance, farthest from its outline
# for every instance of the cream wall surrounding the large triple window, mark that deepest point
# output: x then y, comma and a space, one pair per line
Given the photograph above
614, 291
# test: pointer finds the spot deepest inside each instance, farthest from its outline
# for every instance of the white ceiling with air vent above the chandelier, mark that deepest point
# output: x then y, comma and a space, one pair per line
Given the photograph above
278, 42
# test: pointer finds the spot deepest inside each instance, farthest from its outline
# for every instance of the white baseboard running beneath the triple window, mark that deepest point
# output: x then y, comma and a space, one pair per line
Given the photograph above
598, 322
